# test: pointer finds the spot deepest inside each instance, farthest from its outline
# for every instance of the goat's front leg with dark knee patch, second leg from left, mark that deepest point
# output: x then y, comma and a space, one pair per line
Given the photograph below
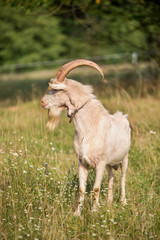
96, 188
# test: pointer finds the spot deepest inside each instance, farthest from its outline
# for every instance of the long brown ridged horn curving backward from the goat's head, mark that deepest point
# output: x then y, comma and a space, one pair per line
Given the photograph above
66, 68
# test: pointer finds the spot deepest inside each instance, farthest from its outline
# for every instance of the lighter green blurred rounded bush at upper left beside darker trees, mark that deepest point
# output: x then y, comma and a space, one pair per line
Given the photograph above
29, 38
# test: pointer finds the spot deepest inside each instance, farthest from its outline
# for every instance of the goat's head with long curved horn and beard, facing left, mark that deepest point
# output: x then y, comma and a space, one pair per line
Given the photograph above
65, 94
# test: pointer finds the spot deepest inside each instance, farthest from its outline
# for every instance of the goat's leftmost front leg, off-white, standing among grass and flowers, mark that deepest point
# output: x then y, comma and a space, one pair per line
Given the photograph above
83, 174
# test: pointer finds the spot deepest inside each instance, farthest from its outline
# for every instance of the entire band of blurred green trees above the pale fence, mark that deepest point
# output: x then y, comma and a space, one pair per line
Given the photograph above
42, 30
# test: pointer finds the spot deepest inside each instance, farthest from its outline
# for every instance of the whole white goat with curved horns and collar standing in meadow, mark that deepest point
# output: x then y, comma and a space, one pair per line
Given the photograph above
101, 140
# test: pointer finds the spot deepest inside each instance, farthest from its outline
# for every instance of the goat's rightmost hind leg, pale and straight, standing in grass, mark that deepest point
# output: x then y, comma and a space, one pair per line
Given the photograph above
124, 166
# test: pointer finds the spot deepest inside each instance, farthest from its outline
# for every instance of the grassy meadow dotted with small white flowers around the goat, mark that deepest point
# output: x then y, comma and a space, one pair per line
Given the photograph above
39, 170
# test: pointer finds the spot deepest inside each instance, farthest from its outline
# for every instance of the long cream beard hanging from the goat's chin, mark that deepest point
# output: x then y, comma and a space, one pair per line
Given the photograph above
53, 117
